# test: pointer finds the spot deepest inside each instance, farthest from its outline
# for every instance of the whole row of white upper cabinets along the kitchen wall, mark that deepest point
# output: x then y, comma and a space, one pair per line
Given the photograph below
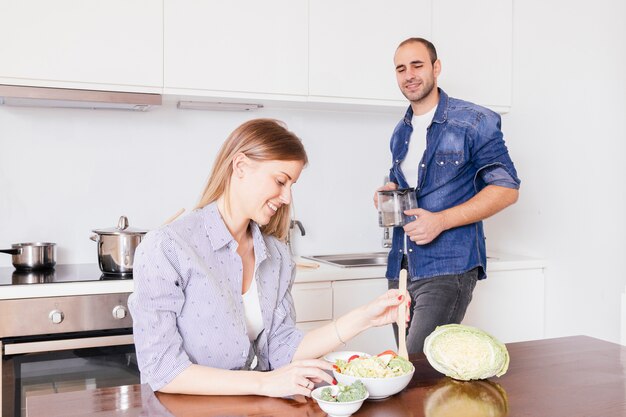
322, 51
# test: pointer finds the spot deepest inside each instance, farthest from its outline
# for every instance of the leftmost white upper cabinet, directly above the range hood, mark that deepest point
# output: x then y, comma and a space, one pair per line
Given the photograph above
88, 44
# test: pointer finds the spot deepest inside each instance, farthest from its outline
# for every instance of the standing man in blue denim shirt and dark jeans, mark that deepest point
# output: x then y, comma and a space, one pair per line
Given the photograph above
453, 153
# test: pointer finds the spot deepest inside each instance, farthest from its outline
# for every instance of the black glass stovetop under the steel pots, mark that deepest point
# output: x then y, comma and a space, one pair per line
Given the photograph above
60, 274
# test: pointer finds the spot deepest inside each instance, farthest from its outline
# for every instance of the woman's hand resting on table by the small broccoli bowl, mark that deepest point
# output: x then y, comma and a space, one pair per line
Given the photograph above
298, 377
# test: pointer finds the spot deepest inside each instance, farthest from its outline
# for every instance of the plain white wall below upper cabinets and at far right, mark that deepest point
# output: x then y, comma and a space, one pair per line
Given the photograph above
64, 172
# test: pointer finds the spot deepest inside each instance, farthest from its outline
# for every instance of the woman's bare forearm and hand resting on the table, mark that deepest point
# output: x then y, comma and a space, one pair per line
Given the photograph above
294, 378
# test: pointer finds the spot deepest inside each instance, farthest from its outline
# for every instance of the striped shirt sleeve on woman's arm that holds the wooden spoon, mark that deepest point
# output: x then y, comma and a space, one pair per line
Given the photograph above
284, 337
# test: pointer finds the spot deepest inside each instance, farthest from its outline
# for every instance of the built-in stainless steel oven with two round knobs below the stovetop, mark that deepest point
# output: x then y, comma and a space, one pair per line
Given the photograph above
64, 343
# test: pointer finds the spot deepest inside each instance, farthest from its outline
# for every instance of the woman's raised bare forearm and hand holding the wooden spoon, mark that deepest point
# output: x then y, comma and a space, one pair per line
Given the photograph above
383, 310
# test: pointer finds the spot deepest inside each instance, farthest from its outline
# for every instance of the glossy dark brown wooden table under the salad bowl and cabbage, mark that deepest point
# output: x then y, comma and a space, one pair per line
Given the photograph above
563, 377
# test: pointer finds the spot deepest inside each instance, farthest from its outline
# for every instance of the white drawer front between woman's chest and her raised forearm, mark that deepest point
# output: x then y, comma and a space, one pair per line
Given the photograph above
313, 301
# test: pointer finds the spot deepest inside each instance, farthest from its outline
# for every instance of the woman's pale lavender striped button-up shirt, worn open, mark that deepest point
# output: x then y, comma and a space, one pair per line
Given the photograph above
187, 305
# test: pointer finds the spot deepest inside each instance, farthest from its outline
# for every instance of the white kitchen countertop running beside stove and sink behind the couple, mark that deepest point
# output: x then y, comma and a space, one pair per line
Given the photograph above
97, 283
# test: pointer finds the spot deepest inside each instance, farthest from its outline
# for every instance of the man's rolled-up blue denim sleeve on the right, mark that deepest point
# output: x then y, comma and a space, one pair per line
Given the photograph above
491, 156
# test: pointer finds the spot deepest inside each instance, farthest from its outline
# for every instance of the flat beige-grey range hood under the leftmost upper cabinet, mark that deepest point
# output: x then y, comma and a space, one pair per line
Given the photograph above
23, 96
